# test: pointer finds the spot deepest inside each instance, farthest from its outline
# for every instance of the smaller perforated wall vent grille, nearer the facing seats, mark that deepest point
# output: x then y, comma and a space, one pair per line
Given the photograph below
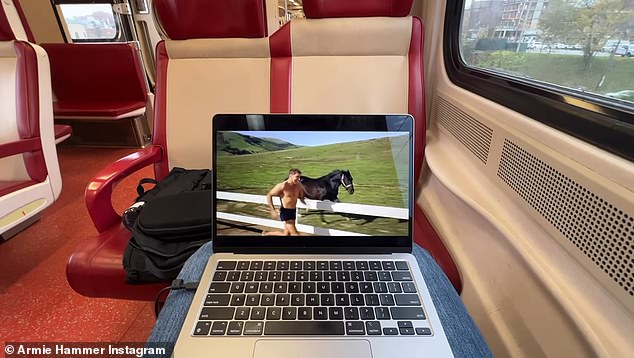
471, 133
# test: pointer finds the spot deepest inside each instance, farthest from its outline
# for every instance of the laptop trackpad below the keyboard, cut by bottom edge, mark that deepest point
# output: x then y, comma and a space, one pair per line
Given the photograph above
312, 349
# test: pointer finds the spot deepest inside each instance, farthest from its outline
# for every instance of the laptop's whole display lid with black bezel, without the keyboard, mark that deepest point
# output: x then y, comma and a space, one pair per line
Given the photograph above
312, 181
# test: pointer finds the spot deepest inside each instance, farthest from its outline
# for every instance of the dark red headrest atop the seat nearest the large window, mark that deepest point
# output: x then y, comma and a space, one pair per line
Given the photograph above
315, 9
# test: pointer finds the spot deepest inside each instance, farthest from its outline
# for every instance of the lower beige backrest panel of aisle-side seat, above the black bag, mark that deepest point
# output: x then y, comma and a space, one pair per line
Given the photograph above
200, 88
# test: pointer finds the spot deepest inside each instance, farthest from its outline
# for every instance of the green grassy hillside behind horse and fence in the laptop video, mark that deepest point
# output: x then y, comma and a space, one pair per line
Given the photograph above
371, 164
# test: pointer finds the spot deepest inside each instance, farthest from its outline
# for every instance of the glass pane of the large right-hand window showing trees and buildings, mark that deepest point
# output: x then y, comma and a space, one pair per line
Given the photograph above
584, 45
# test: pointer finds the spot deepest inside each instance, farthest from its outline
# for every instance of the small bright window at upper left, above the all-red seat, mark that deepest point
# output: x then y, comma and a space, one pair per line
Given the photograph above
90, 22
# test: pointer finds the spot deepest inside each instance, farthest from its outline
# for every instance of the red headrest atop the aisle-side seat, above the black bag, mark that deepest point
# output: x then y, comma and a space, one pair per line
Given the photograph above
196, 19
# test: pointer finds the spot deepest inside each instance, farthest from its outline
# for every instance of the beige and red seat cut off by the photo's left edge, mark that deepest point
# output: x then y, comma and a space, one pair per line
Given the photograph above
30, 179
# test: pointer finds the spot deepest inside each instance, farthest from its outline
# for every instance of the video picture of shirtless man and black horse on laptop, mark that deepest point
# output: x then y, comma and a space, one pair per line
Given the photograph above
312, 183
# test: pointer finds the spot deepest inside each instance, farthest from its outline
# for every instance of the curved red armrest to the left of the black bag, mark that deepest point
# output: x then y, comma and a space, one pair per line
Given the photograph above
99, 190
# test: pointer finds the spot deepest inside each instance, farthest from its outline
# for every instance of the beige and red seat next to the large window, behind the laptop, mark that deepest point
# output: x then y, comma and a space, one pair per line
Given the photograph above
360, 56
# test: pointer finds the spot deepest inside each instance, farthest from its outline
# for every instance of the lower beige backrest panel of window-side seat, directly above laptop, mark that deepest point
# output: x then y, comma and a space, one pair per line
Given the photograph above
330, 84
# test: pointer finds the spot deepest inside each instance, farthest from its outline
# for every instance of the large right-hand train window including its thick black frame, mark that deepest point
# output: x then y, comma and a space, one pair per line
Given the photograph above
565, 63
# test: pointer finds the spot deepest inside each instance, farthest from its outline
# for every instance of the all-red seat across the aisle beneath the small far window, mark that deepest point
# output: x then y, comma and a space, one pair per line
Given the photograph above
97, 83
